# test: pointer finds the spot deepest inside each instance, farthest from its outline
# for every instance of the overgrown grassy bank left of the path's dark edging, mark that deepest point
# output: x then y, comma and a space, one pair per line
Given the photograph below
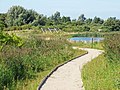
22, 68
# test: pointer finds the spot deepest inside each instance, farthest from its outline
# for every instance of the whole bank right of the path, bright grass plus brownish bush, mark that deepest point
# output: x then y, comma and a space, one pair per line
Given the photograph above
103, 73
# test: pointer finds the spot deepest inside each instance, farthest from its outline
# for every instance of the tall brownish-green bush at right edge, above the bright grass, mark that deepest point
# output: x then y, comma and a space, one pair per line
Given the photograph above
112, 47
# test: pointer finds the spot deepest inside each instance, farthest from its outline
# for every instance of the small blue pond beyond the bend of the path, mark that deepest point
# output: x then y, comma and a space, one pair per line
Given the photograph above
86, 39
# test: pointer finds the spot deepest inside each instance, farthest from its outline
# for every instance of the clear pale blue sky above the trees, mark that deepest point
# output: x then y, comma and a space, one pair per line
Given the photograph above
72, 8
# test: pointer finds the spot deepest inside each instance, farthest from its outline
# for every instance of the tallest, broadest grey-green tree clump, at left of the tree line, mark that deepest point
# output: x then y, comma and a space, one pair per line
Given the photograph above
18, 16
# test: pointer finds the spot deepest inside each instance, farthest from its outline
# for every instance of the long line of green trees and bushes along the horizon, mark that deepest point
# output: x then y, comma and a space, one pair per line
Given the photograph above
18, 16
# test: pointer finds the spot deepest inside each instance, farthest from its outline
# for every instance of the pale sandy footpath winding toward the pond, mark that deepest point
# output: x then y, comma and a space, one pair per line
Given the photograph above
68, 76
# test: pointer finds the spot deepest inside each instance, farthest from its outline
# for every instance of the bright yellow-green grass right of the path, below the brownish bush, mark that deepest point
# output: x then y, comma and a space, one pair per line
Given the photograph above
99, 75
